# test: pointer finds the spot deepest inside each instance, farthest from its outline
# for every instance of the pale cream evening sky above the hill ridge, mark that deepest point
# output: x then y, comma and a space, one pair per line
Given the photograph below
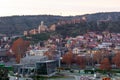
57, 7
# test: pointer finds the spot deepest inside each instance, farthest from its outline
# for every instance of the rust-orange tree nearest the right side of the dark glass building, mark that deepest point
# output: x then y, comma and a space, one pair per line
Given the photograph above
68, 58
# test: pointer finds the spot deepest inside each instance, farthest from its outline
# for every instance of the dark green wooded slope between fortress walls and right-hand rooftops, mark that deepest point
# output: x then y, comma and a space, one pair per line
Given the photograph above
82, 28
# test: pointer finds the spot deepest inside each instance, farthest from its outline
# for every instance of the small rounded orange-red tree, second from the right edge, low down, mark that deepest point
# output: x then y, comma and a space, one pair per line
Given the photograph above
105, 64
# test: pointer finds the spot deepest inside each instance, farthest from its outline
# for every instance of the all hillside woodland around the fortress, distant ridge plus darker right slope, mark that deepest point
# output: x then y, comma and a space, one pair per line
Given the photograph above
17, 24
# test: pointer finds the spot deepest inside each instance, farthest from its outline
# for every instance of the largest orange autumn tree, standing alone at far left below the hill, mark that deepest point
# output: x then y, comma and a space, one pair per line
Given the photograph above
19, 47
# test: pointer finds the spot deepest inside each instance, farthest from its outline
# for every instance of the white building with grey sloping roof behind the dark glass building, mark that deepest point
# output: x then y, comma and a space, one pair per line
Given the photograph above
34, 55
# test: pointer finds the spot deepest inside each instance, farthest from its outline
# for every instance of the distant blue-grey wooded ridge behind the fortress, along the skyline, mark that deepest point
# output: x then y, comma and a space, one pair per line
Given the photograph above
17, 24
